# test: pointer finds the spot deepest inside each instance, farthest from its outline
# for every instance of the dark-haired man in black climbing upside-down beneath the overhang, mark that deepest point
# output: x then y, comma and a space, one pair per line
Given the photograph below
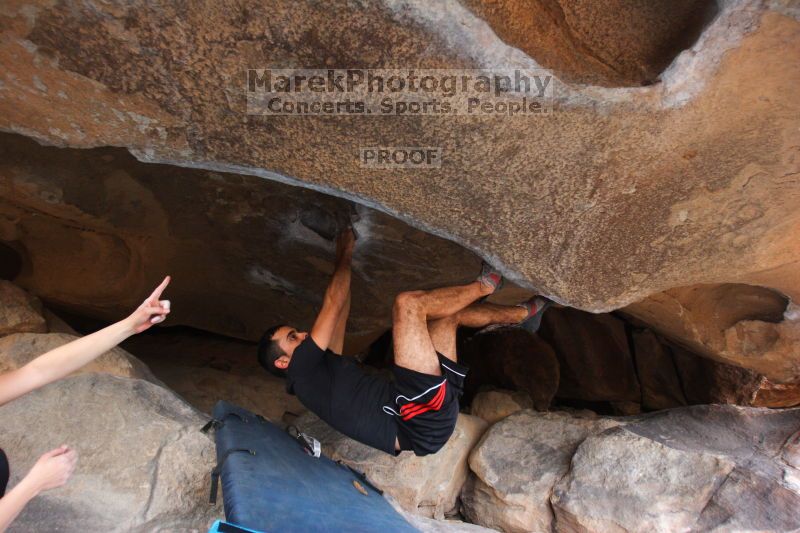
419, 409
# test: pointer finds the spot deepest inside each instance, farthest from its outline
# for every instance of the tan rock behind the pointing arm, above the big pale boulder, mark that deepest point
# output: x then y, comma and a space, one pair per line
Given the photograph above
21, 348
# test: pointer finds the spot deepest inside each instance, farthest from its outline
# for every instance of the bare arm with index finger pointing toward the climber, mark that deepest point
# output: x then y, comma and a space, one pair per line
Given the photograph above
64, 360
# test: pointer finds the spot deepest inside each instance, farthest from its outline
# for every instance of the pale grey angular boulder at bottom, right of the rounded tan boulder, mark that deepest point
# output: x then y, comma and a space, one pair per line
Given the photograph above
619, 481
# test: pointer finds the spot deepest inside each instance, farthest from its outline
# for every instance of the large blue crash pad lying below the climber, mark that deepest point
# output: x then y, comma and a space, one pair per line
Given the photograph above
271, 484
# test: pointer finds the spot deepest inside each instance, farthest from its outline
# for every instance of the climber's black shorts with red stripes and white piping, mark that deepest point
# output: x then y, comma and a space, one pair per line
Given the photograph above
426, 406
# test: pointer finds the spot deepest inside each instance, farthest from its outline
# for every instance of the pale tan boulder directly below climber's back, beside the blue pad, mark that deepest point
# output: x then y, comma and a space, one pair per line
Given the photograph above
427, 486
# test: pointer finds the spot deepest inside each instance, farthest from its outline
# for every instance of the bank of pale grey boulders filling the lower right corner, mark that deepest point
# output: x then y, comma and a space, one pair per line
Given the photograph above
702, 468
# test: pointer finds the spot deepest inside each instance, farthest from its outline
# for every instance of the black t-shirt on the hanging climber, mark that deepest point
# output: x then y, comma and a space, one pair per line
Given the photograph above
343, 395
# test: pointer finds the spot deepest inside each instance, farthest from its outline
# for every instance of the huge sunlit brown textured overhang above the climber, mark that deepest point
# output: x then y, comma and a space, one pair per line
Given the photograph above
616, 195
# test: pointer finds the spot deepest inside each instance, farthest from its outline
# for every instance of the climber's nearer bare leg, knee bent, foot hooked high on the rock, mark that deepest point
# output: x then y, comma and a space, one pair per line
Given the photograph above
413, 347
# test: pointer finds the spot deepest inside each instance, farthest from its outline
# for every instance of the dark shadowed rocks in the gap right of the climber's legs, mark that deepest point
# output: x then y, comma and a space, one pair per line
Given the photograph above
614, 364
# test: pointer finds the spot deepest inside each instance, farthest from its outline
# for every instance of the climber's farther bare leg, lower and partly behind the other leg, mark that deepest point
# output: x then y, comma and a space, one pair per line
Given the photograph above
442, 331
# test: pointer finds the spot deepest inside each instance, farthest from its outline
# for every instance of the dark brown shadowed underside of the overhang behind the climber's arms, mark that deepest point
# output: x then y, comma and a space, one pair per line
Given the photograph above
101, 228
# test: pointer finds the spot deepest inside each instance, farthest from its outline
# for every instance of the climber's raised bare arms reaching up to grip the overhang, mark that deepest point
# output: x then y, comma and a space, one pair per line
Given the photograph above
337, 295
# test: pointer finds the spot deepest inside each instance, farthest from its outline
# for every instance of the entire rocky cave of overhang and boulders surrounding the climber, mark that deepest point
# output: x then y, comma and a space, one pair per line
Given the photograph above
658, 206
